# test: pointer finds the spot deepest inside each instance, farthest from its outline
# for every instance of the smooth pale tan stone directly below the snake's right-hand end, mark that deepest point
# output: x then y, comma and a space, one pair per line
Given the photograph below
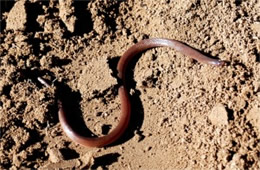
219, 115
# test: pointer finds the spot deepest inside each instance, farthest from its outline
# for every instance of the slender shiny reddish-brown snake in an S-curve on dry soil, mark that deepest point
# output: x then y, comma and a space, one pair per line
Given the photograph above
123, 93
